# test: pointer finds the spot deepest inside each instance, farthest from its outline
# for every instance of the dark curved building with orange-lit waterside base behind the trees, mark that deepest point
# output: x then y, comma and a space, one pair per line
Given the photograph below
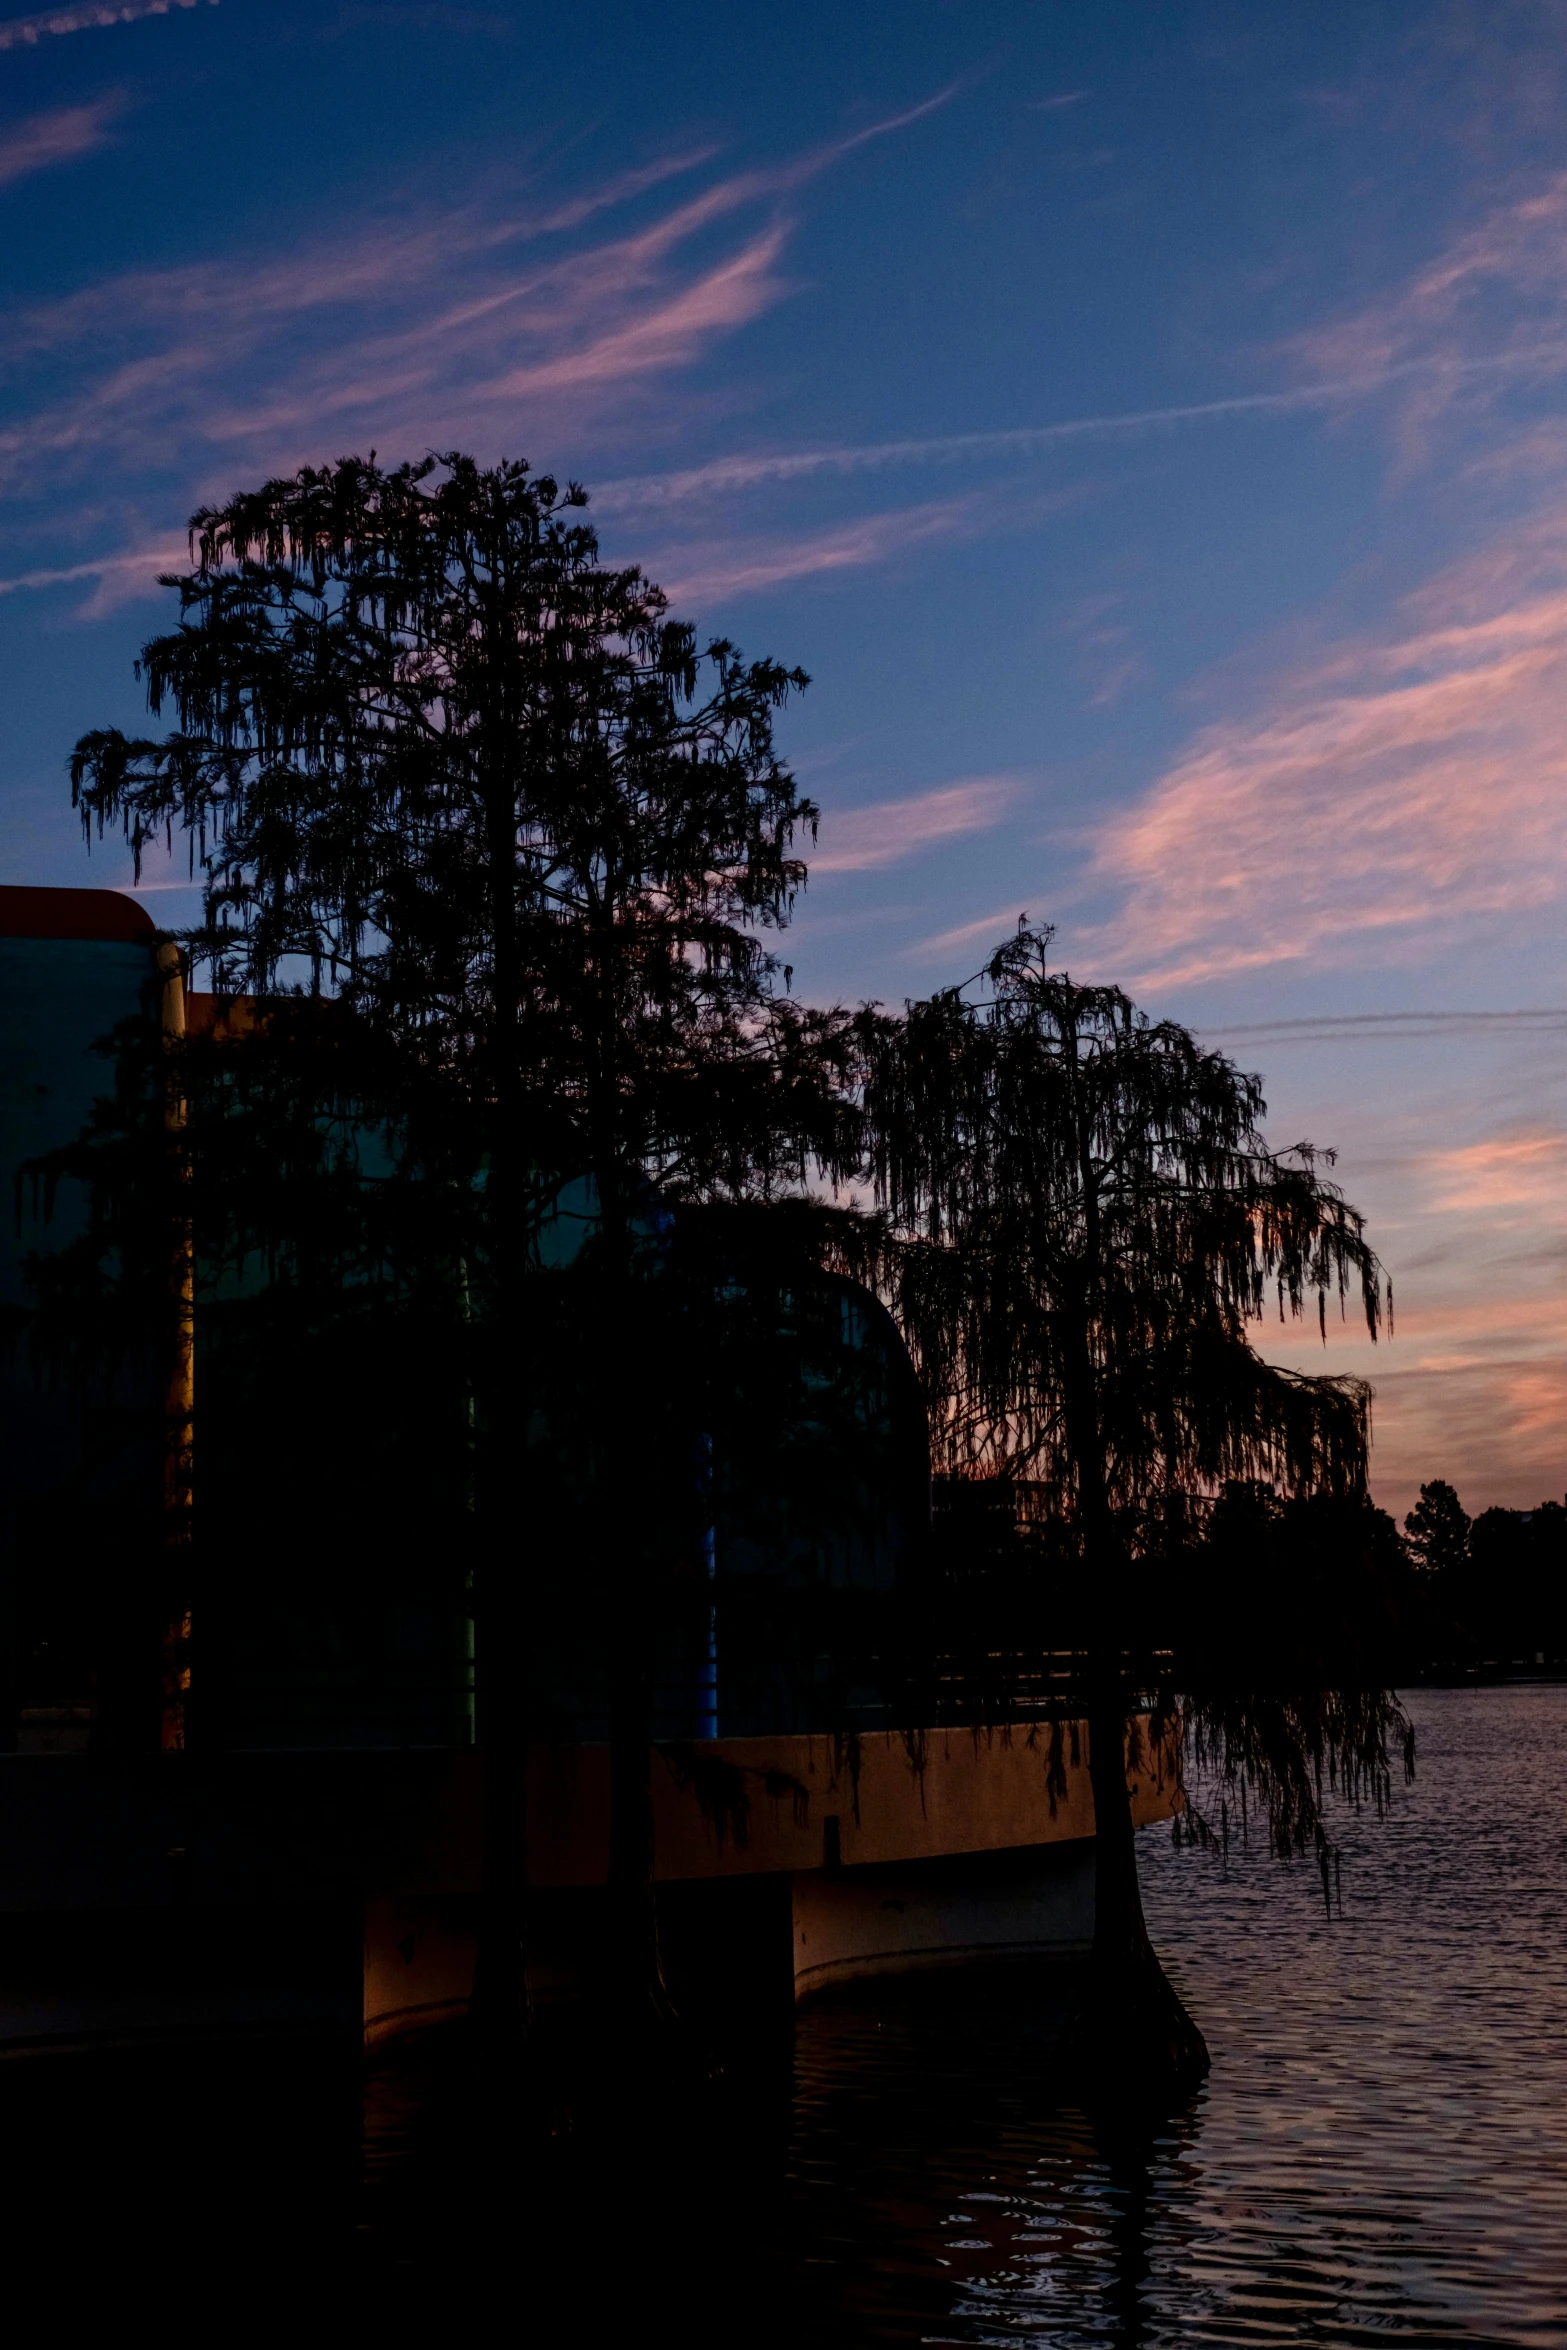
311, 1851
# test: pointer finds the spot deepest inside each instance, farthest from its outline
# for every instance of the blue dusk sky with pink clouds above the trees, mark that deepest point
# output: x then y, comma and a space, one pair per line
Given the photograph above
1141, 417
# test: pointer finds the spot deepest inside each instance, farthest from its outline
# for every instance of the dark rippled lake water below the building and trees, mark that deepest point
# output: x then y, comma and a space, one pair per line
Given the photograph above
1380, 2154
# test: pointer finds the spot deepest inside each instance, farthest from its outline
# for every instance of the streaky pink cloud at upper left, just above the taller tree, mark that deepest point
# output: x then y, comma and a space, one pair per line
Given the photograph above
589, 321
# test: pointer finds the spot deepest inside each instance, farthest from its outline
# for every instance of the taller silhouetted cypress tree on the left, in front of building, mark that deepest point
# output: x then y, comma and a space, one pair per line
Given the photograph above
443, 765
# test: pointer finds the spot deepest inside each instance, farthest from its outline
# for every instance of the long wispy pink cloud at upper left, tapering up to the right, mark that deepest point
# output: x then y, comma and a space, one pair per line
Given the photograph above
469, 323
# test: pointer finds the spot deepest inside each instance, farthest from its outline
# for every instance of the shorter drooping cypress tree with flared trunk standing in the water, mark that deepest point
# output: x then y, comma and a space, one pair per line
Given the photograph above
1087, 1228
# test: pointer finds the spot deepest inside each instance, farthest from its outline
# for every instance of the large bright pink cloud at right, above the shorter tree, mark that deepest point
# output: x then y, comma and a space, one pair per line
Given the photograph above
1406, 788
